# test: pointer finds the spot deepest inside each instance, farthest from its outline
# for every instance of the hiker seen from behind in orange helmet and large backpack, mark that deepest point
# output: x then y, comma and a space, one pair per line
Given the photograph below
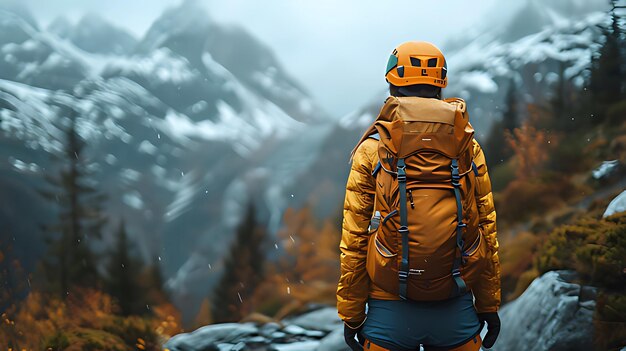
419, 253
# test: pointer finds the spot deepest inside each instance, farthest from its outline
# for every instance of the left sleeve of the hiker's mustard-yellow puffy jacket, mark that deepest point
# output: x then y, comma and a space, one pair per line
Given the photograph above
353, 287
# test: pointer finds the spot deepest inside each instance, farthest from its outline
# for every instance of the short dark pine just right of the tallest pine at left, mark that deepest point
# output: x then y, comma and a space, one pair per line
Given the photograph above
123, 276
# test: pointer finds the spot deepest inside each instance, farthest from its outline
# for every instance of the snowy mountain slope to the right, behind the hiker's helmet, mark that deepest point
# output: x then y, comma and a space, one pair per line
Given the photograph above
526, 42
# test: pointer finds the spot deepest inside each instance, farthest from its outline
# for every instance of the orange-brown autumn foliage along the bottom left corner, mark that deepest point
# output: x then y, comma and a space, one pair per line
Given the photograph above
88, 320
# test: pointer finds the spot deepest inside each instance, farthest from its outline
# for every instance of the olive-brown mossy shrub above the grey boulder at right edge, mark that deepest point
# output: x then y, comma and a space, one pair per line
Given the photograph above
596, 248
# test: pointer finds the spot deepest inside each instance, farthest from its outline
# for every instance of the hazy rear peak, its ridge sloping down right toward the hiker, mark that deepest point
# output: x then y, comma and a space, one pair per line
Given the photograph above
190, 33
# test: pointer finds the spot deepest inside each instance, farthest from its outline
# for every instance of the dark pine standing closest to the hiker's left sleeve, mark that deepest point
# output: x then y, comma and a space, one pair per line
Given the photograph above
243, 271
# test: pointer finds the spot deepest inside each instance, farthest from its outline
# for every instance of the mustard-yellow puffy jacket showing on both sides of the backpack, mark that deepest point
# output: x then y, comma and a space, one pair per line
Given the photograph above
354, 286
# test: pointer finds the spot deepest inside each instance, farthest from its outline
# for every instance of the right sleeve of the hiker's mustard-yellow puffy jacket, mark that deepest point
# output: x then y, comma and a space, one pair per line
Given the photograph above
487, 291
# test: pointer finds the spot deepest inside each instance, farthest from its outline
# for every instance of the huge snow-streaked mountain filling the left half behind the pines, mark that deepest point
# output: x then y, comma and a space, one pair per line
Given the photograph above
180, 141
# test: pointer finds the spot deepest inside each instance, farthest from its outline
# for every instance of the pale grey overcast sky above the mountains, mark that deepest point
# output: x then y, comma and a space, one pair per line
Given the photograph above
337, 50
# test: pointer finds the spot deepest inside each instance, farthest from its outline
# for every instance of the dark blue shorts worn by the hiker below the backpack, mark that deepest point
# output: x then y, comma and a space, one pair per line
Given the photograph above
405, 325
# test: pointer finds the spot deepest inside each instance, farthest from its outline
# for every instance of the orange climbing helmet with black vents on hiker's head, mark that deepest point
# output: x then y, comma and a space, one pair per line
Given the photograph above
417, 62
